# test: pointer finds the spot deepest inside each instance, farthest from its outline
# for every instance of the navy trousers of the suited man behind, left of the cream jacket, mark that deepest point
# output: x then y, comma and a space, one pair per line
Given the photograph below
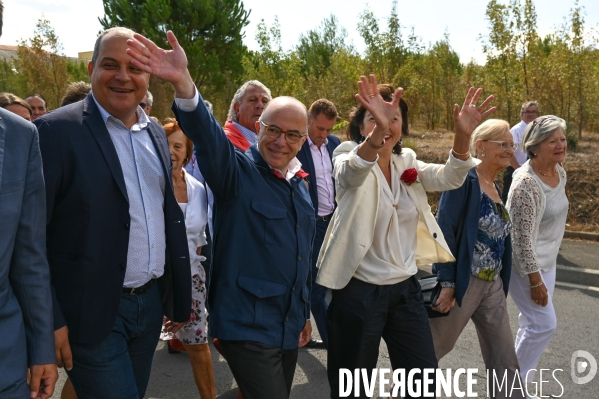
318, 293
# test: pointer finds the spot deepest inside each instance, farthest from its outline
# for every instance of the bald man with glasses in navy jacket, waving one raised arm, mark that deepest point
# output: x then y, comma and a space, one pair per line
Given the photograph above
263, 228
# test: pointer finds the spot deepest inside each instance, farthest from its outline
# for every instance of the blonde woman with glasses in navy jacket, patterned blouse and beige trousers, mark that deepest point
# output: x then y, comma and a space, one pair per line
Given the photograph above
479, 278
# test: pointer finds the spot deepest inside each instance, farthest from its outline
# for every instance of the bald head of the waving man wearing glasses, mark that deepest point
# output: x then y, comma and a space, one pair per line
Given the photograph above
283, 127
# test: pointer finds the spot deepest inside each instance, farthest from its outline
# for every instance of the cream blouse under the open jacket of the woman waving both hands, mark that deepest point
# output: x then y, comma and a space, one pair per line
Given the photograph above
391, 257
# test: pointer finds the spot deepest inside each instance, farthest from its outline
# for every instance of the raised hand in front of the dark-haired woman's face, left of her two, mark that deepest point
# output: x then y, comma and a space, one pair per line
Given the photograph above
382, 111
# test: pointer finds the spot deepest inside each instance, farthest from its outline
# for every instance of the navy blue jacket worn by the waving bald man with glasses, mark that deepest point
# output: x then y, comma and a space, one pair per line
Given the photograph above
262, 242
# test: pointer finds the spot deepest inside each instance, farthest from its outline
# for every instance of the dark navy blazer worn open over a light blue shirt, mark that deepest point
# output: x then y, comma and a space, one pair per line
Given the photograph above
88, 223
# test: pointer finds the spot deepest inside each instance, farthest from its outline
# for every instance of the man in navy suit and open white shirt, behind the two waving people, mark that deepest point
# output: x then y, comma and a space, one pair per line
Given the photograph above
316, 158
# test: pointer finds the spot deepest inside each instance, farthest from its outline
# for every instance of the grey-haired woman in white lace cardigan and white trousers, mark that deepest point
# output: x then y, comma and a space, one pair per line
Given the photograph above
538, 207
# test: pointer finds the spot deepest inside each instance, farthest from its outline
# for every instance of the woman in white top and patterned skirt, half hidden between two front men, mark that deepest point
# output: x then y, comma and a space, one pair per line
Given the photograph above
191, 196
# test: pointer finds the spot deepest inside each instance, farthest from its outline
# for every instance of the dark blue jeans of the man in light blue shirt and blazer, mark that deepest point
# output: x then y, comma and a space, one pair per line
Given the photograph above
119, 367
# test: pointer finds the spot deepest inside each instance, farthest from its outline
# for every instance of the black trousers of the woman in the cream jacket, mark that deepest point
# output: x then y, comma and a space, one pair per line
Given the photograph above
361, 313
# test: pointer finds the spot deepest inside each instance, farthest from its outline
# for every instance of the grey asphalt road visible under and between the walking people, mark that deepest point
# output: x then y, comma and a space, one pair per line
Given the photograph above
578, 329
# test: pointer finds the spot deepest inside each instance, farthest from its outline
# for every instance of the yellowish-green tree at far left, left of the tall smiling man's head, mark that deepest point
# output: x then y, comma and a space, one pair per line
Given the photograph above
41, 61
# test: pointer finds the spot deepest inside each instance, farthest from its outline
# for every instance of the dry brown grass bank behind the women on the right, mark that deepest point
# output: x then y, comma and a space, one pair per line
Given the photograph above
582, 166
